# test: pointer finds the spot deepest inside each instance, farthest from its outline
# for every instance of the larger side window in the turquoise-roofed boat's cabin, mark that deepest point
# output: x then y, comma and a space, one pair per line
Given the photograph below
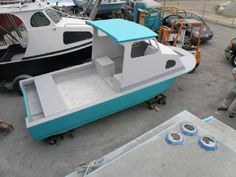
143, 48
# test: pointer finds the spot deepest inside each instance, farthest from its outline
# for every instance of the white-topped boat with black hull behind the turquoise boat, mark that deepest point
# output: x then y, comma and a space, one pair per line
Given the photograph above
36, 39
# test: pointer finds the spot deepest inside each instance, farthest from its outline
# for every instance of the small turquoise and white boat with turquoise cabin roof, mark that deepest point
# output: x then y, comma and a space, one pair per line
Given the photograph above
128, 67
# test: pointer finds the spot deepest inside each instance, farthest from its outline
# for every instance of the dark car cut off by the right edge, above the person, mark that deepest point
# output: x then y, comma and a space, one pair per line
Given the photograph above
230, 52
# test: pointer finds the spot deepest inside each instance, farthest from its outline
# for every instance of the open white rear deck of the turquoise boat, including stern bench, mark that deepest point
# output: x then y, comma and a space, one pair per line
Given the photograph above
74, 88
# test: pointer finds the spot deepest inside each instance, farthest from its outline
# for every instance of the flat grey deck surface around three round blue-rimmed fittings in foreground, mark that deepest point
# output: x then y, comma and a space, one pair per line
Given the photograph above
150, 155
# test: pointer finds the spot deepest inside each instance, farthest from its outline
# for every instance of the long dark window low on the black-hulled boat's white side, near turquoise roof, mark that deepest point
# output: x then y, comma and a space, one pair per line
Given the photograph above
72, 36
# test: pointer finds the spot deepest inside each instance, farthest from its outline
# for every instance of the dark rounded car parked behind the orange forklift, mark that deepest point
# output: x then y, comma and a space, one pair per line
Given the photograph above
207, 32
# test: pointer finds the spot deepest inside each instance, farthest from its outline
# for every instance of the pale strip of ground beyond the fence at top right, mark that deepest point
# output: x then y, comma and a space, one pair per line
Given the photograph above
207, 9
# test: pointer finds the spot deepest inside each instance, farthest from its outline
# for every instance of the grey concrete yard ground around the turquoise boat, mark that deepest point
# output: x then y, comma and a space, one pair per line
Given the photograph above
199, 93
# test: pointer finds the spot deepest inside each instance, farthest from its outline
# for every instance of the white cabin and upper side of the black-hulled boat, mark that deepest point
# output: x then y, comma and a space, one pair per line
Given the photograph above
49, 32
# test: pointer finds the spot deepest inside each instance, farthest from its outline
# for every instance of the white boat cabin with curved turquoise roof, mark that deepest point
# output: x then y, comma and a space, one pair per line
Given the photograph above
131, 57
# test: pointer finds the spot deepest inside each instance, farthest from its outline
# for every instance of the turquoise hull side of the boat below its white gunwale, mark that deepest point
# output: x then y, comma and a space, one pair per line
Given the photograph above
77, 119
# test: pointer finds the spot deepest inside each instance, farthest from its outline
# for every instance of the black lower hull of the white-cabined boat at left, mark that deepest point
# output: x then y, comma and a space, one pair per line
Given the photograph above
42, 64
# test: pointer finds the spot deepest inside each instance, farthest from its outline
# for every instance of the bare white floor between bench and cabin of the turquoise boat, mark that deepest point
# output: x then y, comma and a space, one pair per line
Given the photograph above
82, 87
